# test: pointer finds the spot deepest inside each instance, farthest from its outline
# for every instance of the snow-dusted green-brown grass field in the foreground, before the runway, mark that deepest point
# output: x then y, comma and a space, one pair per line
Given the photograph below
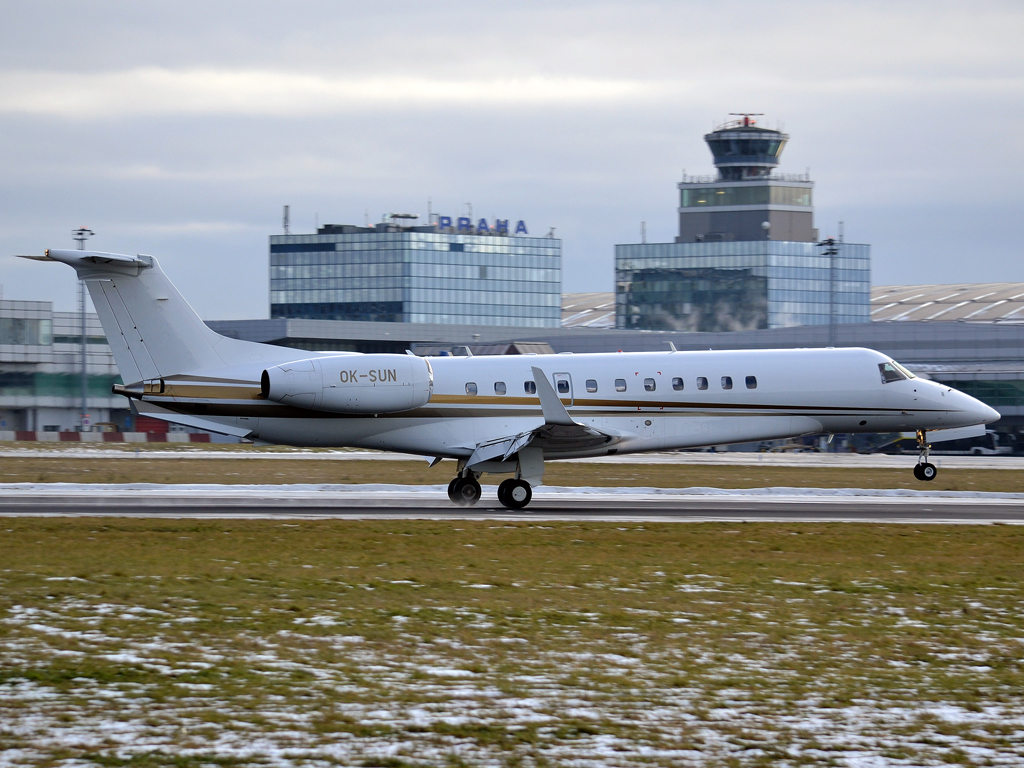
322, 644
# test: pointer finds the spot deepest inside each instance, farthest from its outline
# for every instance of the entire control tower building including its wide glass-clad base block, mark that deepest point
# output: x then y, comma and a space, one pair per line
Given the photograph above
747, 257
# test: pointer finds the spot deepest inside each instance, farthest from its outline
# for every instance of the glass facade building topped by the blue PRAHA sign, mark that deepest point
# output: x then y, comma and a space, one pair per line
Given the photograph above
403, 276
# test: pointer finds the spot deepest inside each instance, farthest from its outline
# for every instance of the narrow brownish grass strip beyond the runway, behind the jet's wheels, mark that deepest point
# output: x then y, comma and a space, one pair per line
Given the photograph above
182, 471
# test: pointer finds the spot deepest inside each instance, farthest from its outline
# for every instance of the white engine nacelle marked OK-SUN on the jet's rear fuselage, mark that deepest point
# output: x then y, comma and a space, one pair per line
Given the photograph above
352, 383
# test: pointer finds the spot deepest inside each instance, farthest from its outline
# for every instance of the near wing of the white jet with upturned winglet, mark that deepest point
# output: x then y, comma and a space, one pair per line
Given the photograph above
560, 434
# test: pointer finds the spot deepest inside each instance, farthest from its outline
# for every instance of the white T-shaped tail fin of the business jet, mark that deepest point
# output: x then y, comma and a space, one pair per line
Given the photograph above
151, 328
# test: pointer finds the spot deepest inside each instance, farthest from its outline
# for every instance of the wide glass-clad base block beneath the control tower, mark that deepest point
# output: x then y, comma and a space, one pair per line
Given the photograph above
740, 285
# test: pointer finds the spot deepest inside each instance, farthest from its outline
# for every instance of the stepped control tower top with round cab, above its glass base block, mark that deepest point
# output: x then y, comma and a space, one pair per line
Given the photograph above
748, 201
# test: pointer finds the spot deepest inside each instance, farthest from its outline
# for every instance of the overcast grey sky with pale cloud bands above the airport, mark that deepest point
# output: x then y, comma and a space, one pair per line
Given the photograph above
181, 130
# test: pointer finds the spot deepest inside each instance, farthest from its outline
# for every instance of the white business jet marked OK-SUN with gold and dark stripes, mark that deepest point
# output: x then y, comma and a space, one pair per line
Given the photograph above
503, 415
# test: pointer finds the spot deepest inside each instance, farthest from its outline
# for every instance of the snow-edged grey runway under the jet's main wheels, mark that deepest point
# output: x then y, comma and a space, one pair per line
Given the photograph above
432, 503
